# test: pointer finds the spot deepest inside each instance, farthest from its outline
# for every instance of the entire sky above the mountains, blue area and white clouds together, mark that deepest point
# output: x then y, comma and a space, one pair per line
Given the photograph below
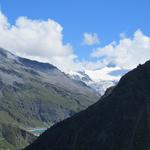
75, 34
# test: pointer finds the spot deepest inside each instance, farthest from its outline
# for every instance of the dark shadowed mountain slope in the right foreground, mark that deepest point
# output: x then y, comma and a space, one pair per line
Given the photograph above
119, 121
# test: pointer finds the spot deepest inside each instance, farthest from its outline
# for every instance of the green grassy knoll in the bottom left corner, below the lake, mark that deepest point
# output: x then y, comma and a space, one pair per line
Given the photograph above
13, 137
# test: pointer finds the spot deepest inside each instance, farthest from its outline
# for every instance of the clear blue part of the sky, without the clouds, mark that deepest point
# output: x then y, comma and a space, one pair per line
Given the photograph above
106, 18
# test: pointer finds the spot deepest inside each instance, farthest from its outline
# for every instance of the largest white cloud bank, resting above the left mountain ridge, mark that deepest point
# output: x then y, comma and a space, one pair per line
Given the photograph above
37, 39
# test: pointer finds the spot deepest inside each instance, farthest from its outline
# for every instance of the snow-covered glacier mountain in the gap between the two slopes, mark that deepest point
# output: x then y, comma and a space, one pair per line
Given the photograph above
99, 79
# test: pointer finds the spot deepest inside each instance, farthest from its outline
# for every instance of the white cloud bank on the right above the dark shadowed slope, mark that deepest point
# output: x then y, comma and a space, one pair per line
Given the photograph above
128, 53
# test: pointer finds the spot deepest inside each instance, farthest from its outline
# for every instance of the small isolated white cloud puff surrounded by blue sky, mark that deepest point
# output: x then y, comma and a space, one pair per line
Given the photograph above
90, 39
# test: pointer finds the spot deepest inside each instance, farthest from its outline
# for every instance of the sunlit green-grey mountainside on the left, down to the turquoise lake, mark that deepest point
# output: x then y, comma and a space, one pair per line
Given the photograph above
35, 94
